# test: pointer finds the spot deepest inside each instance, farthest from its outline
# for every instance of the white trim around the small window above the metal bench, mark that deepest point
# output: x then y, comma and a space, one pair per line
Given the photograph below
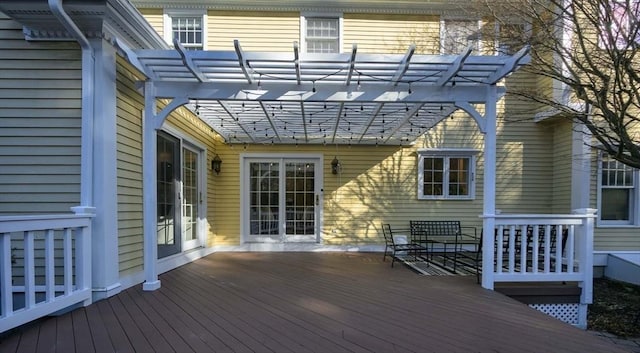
448, 152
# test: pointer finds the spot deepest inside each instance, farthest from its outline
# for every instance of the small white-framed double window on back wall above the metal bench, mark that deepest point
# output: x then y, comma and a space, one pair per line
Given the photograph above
446, 174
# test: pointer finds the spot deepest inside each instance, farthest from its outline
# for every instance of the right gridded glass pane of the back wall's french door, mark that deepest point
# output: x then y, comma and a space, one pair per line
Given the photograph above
300, 200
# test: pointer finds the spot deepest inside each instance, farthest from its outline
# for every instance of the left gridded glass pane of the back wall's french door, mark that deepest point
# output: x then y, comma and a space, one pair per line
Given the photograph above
263, 198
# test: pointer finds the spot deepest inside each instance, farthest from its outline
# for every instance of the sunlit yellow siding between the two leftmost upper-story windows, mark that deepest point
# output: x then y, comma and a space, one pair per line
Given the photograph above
257, 31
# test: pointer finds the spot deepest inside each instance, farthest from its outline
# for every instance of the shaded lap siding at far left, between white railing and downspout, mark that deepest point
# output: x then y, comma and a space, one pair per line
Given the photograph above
40, 119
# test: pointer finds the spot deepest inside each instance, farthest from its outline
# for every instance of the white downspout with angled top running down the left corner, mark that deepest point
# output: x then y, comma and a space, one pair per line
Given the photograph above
88, 77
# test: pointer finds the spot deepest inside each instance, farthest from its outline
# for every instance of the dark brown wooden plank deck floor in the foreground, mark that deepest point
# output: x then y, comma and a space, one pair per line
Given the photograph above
304, 302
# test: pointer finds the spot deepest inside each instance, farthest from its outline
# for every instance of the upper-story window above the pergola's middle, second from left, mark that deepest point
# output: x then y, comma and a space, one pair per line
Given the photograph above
322, 34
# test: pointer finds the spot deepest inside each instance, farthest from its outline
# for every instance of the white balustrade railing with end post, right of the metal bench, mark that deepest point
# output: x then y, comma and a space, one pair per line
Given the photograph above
540, 248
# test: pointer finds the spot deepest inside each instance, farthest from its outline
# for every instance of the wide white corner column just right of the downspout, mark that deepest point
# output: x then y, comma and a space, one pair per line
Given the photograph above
105, 269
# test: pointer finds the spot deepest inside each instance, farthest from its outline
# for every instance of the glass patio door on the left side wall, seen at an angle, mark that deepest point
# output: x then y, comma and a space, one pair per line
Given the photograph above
179, 196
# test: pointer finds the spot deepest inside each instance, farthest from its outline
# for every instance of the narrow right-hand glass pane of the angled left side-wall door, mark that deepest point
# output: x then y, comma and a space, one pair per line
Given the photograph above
190, 191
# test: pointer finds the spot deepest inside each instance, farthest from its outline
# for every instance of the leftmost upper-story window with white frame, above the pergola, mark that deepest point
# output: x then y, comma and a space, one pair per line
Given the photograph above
188, 28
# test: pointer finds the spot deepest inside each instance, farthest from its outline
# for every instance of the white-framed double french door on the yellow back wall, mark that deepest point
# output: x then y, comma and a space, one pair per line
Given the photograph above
282, 202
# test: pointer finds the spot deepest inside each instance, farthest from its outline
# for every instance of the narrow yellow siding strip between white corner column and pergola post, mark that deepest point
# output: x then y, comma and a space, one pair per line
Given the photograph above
129, 153
